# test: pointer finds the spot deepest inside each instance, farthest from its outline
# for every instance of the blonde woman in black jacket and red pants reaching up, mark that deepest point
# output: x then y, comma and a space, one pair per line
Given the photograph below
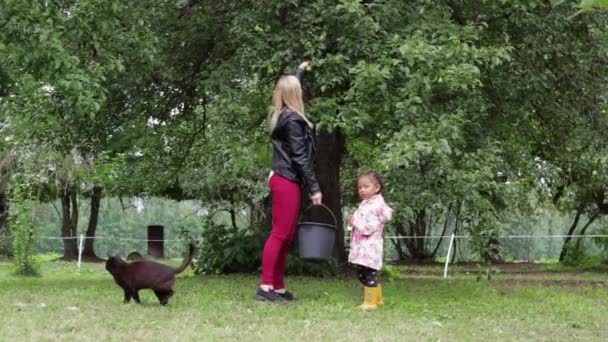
292, 168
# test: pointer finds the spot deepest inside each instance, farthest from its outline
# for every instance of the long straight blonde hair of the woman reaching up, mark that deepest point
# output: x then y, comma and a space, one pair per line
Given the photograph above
287, 94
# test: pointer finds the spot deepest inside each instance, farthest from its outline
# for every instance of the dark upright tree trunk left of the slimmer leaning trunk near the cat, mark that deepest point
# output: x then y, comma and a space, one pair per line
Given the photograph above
69, 225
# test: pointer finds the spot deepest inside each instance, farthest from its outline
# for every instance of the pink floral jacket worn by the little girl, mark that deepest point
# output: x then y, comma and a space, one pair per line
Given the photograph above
367, 239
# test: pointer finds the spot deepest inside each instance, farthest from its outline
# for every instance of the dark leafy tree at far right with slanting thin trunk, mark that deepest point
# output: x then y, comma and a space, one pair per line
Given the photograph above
559, 128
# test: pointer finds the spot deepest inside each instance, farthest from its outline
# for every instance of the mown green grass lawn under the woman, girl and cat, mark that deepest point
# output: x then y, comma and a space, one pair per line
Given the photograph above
65, 304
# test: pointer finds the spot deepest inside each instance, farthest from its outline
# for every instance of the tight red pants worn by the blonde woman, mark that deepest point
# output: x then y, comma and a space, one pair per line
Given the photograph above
285, 211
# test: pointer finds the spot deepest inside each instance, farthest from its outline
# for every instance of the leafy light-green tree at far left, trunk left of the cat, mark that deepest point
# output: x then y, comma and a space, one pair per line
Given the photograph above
64, 79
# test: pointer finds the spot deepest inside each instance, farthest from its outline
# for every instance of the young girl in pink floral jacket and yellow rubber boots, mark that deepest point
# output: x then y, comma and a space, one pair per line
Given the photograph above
367, 240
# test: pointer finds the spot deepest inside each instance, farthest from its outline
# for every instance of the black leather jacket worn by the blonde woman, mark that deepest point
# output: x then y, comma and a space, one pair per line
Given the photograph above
294, 150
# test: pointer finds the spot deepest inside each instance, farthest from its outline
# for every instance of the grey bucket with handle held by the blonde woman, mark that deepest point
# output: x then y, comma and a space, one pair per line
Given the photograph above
315, 239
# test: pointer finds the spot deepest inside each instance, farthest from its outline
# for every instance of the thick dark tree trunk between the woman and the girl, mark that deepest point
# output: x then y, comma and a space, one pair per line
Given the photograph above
330, 149
